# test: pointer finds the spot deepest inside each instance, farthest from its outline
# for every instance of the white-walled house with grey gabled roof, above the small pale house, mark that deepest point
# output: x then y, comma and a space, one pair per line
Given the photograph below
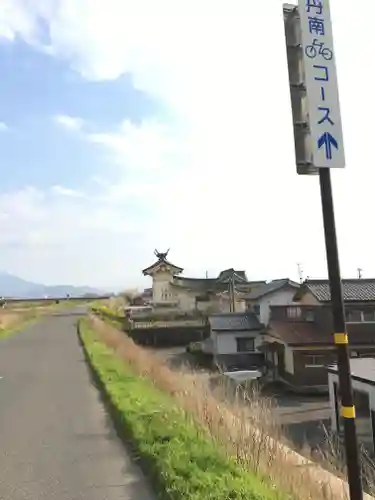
275, 292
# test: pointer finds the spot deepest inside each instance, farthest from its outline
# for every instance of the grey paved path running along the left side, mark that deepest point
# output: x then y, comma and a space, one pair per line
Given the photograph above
56, 442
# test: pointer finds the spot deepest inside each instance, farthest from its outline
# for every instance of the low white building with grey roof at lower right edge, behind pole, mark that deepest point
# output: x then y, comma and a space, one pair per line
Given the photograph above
363, 382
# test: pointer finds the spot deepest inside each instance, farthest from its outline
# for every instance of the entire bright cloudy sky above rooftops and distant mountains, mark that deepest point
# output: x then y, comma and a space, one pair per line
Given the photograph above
128, 126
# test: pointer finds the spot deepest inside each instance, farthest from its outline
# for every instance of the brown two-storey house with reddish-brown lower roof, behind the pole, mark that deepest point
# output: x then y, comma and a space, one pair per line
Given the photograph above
298, 343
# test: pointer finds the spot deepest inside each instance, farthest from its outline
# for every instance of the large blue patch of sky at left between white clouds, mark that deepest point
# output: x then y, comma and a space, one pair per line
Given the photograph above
38, 87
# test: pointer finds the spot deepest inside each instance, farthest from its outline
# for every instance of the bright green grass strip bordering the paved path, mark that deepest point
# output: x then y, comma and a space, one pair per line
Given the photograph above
182, 457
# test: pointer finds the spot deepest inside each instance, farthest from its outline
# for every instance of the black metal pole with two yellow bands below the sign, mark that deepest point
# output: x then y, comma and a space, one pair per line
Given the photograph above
341, 339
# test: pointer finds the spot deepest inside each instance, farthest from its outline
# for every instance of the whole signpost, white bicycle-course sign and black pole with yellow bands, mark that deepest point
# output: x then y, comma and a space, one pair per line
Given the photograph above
312, 71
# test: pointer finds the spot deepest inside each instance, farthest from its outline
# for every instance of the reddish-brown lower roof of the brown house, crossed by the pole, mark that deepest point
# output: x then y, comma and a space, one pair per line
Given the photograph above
301, 333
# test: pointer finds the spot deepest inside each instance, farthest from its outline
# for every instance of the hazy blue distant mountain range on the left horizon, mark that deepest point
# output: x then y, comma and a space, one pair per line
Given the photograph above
14, 287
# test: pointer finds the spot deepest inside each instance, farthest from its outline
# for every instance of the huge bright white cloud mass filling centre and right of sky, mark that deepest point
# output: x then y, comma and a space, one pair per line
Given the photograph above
219, 186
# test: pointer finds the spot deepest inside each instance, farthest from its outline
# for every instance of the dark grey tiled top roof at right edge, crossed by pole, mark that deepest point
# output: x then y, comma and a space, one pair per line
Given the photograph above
360, 290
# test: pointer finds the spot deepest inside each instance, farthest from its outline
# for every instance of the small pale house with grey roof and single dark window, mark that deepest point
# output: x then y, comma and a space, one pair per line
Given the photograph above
234, 341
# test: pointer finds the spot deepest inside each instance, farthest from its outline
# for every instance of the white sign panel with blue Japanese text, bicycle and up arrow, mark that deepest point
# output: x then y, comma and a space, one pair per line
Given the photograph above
321, 84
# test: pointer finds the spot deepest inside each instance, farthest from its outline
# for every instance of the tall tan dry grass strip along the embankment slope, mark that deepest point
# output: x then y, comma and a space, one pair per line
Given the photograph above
243, 423
